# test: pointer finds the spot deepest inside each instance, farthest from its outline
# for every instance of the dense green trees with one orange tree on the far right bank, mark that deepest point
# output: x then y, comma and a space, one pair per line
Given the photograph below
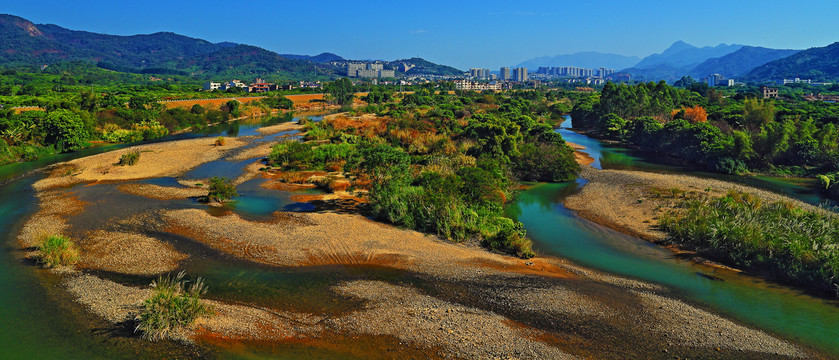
733, 133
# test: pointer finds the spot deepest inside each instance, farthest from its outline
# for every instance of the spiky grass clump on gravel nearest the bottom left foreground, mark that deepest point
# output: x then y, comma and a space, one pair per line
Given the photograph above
175, 305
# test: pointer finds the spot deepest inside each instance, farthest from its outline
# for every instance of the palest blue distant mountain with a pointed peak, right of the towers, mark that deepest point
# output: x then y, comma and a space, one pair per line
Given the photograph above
684, 55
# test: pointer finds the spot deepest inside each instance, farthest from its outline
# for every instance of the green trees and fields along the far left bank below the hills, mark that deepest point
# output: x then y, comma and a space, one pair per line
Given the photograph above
73, 104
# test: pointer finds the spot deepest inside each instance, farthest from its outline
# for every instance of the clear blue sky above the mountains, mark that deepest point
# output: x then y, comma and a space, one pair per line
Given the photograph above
463, 34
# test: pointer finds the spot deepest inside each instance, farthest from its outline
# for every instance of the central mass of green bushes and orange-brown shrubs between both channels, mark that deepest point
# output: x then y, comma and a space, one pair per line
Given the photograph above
440, 163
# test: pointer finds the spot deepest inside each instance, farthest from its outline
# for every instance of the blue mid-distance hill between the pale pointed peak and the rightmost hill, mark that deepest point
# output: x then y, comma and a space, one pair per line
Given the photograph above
739, 62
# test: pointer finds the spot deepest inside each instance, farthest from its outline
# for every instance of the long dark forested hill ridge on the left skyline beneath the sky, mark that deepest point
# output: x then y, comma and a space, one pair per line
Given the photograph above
25, 43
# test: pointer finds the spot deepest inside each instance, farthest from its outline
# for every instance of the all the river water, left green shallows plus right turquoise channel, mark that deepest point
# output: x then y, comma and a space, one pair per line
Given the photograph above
35, 325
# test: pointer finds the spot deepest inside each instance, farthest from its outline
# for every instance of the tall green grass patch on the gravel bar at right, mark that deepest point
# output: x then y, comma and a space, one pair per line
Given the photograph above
796, 245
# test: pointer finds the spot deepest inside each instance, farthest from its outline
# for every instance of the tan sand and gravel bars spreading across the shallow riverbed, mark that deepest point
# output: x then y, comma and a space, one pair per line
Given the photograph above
455, 299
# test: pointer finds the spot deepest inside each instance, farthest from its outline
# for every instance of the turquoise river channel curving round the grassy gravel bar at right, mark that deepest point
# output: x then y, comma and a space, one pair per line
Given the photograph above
777, 309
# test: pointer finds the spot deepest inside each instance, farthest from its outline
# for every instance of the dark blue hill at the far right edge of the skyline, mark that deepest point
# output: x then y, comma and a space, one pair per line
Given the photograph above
820, 63
